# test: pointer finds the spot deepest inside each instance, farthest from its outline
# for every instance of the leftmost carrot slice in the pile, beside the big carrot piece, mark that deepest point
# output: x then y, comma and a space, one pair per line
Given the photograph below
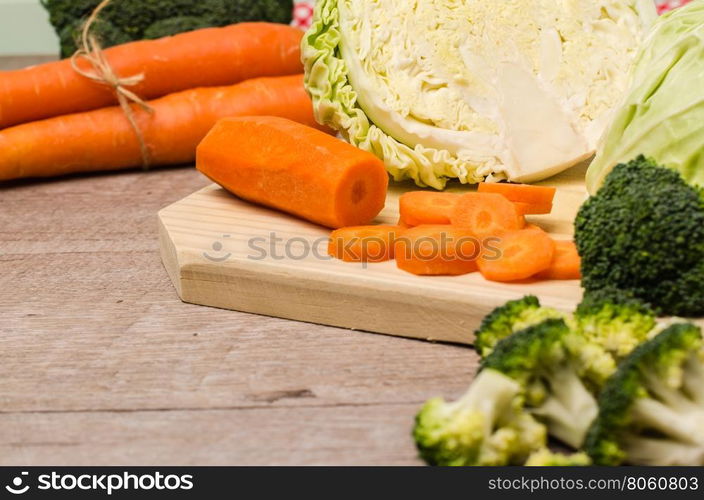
364, 243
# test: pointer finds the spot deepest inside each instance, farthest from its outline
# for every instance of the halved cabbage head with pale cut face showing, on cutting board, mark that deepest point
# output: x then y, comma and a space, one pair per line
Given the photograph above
469, 89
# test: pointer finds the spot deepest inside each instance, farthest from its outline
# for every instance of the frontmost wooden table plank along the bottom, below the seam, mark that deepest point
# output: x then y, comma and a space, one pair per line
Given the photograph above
361, 435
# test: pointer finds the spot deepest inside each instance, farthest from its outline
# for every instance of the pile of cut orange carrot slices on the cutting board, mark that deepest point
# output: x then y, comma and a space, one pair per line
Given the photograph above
454, 234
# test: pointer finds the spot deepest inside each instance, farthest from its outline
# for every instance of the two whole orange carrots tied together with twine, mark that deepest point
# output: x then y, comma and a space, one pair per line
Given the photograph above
54, 120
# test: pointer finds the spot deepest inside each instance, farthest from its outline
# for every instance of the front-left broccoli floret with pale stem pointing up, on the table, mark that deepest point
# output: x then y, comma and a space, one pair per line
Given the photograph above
486, 426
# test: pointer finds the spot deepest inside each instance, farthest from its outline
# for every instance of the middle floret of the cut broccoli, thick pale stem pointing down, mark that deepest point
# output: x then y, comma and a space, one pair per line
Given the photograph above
543, 360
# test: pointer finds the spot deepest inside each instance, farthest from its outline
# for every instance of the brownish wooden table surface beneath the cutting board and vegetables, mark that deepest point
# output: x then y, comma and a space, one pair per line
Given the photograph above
102, 364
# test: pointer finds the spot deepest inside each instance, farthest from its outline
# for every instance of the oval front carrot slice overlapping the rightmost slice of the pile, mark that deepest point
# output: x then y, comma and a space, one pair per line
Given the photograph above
517, 255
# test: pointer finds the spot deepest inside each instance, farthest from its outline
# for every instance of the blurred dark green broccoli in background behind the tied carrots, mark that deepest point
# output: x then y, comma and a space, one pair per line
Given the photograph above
127, 20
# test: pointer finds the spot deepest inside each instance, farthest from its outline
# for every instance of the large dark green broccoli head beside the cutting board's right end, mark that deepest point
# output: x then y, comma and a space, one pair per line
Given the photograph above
643, 232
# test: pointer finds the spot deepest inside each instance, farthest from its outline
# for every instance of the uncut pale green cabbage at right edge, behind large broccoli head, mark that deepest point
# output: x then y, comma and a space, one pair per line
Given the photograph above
663, 113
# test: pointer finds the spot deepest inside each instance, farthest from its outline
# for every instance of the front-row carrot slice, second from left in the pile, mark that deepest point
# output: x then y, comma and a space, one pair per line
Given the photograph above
437, 250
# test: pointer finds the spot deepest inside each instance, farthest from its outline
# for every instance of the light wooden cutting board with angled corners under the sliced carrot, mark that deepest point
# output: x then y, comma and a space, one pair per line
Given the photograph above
223, 252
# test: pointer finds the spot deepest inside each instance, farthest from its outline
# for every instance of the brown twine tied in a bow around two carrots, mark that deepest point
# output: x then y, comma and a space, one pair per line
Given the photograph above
102, 73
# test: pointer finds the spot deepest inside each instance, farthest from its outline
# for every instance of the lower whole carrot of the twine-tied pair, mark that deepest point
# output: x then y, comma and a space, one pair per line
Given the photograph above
103, 139
